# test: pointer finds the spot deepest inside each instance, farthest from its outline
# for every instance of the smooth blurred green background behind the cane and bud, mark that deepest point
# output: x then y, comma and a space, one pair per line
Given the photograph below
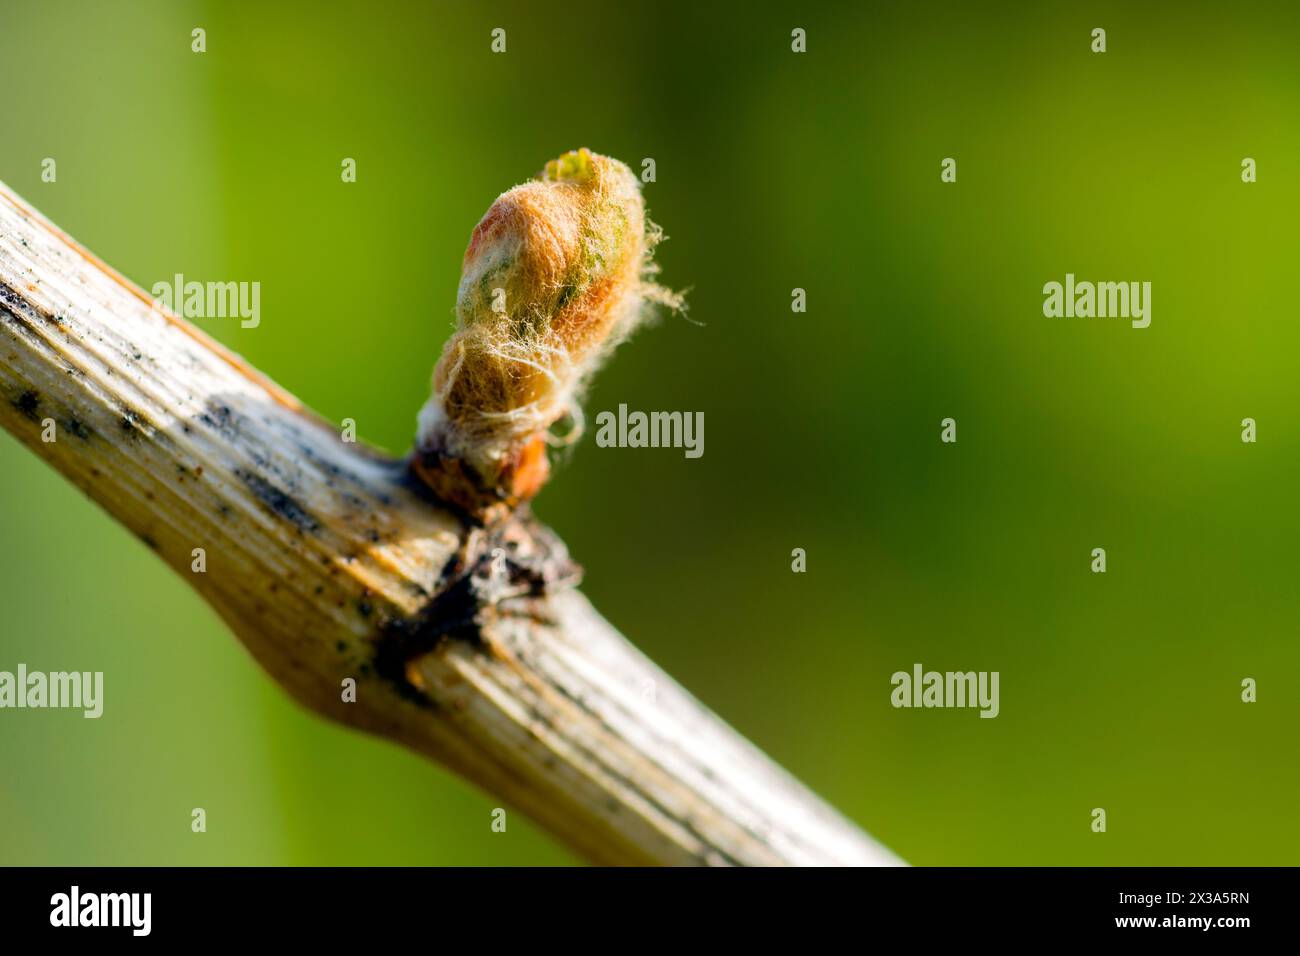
775, 171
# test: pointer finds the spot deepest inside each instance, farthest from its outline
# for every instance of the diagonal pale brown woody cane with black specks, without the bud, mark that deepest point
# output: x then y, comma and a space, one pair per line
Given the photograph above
469, 644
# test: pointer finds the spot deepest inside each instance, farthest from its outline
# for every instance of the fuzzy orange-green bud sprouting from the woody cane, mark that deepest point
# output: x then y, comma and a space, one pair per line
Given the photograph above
557, 274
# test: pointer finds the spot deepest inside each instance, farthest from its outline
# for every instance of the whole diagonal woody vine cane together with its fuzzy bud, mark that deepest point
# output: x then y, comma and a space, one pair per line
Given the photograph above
427, 582
